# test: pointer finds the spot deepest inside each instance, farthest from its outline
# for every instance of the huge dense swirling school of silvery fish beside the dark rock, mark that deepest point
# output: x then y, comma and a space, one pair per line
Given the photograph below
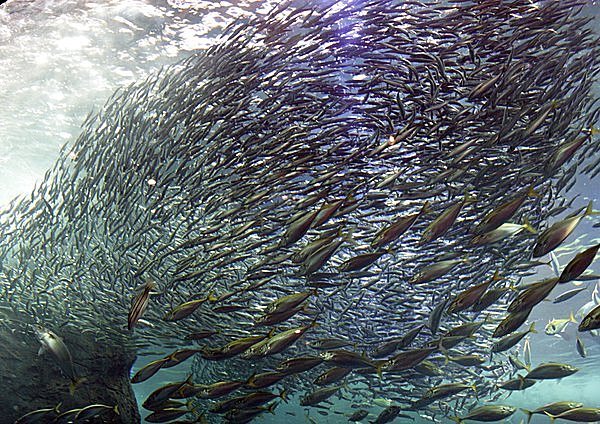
338, 191
